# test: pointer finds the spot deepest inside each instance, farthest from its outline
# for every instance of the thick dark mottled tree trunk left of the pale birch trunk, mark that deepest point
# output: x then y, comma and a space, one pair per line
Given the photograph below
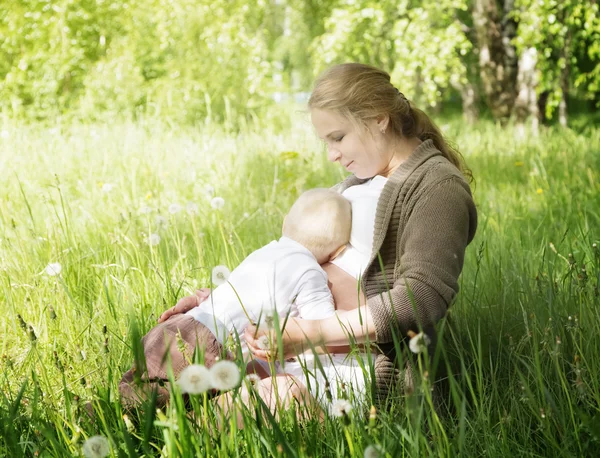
495, 30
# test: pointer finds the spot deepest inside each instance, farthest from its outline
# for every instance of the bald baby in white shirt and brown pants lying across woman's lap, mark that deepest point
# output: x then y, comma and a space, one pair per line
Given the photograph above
283, 278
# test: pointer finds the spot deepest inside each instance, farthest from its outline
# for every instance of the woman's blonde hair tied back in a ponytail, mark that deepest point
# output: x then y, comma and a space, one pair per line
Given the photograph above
360, 93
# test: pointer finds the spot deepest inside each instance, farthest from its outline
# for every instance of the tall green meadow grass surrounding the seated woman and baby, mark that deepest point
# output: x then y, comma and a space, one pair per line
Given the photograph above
520, 360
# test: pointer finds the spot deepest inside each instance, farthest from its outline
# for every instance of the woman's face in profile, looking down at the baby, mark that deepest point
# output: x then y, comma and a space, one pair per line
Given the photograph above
362, 152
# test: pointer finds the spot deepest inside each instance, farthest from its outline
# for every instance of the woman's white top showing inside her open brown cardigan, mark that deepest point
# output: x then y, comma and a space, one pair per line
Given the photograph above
363, 198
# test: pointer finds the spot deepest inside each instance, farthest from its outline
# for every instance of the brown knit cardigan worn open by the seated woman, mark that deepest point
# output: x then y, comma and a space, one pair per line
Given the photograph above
425, 219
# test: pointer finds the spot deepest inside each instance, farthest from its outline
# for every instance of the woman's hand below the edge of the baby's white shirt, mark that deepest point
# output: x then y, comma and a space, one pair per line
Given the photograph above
262, 342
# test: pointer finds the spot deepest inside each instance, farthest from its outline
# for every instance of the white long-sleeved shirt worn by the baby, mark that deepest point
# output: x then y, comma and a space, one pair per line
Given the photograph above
282, 277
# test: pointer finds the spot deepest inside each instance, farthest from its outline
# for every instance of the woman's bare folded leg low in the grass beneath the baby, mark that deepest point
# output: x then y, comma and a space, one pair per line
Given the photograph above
279, 393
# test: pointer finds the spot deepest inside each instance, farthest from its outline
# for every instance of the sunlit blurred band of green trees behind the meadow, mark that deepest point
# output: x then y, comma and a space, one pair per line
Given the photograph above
230, 60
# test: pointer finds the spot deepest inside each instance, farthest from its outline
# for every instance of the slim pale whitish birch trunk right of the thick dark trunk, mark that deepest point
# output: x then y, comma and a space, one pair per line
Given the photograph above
526, 103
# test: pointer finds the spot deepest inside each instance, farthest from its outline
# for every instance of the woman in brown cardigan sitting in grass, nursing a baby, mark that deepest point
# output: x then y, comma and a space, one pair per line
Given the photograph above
414, 216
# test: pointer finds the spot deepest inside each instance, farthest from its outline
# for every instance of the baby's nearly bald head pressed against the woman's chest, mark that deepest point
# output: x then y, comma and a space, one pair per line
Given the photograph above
320, 220
